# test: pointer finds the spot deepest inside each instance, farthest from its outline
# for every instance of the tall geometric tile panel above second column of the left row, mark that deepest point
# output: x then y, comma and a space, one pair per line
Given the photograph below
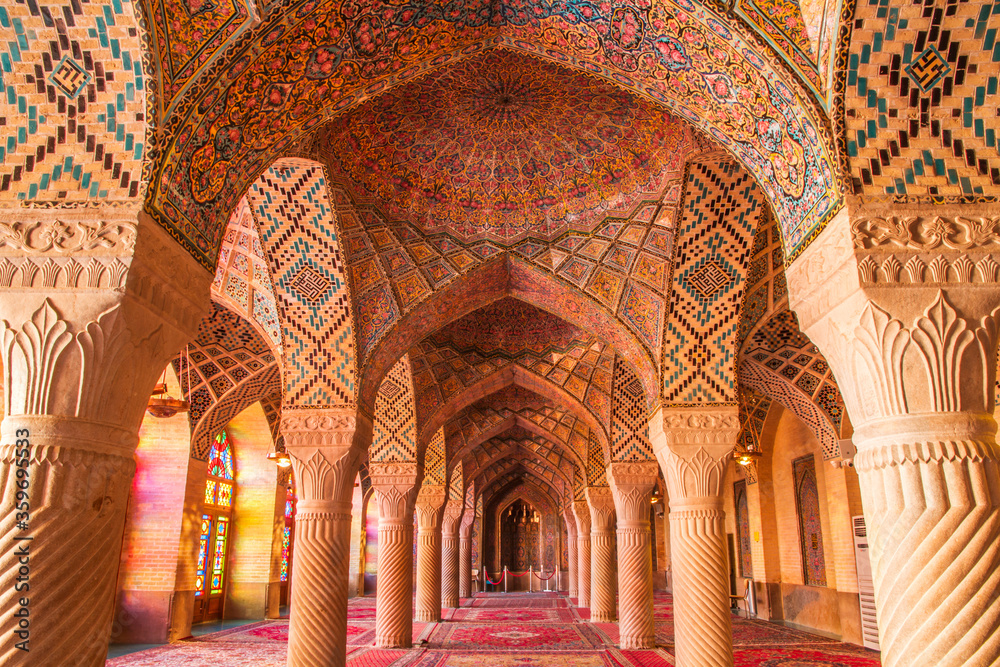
299, 234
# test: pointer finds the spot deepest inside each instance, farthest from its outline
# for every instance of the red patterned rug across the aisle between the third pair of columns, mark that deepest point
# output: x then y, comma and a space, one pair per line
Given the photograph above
536, 636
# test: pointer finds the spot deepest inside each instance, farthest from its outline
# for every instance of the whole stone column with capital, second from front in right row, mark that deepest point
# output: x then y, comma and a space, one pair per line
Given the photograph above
694, 446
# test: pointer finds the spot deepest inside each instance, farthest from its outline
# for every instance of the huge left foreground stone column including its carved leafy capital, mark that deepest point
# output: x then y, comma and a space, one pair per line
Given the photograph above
93, 304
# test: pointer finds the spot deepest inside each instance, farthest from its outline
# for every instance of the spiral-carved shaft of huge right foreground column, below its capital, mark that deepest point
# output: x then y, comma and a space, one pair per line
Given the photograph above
932, 510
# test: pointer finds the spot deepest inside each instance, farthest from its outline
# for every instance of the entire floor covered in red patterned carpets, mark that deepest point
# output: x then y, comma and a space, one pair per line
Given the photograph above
517, 630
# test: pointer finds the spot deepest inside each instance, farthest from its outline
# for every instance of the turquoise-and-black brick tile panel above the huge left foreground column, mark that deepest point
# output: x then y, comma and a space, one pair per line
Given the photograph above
72, 102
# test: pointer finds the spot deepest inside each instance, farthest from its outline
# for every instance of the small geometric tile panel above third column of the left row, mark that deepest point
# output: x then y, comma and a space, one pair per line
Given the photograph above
394, 435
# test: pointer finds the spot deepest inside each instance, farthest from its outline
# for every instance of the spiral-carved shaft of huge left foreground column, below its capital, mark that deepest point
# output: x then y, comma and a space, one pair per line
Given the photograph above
63, 554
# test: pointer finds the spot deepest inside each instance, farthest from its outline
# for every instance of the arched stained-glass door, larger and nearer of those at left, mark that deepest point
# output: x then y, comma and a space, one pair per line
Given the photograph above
216, 522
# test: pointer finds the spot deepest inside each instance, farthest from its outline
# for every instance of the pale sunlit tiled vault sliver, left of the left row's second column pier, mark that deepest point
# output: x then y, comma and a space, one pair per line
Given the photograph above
242, 279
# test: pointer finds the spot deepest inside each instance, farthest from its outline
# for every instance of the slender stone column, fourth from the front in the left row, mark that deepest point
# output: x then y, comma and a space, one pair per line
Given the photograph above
430, 505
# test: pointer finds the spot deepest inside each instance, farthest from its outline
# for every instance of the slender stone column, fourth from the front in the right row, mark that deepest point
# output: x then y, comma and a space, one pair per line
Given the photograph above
603, 607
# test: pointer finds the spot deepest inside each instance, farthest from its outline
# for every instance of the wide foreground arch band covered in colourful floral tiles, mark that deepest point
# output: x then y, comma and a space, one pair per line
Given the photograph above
222, 139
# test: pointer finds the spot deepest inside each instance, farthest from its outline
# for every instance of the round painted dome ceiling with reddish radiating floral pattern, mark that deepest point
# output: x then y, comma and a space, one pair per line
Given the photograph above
503, 146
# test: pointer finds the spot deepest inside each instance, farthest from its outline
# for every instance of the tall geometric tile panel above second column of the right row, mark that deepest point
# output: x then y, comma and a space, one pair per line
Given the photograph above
721, 209
